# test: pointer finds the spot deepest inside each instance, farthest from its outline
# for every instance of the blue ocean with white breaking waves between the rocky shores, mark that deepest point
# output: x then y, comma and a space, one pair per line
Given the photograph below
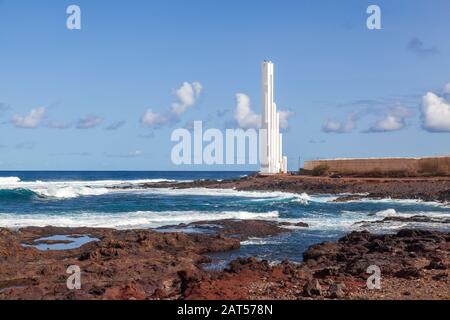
113, 200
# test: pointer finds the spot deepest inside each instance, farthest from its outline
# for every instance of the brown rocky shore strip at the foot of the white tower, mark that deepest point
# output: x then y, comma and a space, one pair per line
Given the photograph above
423, 188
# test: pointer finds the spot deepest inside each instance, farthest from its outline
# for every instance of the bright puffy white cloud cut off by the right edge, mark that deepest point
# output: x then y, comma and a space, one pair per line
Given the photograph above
435, 113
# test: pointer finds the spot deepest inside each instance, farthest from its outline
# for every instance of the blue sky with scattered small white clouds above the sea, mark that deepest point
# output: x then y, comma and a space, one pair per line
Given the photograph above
350, 91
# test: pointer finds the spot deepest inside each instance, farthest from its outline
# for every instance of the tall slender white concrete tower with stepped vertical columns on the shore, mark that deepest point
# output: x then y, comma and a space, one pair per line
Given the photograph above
271, 140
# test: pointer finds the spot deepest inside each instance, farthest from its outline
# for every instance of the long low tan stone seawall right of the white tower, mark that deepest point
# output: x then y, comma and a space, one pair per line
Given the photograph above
432, 165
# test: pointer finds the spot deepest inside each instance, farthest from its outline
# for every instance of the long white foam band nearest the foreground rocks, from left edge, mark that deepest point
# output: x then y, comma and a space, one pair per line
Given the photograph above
126, 220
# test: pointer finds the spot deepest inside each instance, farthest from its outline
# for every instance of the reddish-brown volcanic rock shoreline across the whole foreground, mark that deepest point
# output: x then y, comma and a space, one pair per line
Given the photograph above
150, 264
